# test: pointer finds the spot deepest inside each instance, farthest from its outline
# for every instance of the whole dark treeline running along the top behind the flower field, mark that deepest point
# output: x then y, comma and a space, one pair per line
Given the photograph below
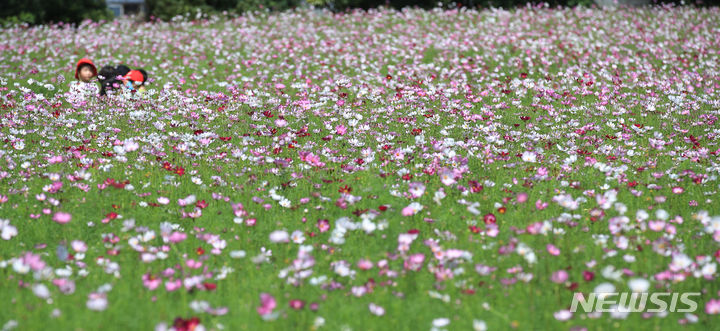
73, 11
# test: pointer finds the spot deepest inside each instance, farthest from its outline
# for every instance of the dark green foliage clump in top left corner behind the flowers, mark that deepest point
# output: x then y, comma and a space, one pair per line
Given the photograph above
43, 11
